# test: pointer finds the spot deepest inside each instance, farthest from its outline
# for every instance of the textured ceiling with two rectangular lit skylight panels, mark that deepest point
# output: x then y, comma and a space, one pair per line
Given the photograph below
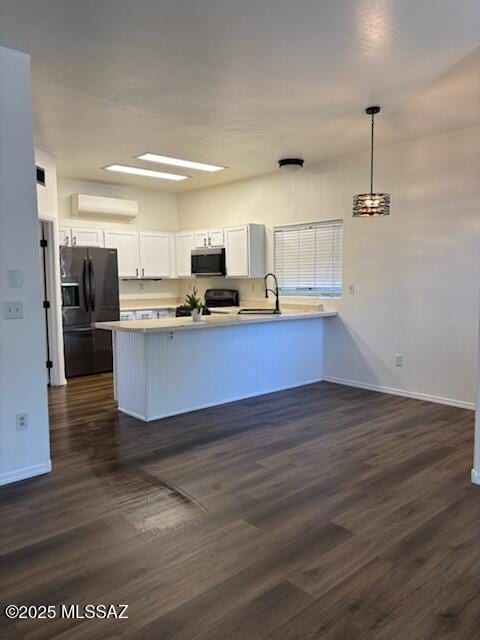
240, 83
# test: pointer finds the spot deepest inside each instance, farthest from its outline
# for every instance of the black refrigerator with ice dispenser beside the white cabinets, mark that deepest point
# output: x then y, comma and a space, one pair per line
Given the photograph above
89, 279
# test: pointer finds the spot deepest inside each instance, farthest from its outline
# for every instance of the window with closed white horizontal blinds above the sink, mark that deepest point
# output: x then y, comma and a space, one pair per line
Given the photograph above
308, 259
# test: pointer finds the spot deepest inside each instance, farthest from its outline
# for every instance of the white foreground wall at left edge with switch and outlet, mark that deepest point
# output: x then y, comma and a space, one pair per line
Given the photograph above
23, 382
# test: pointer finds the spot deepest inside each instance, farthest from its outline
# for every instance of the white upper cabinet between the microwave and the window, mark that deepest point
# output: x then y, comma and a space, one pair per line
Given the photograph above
245, 251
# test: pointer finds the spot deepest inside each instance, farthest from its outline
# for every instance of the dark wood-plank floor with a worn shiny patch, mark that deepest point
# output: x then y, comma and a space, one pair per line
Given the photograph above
323, 512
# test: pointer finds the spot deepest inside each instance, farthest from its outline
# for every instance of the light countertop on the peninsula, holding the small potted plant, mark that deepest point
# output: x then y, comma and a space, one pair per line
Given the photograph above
208, 322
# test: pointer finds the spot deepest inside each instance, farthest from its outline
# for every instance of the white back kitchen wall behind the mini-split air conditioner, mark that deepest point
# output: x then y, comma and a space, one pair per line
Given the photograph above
157, 212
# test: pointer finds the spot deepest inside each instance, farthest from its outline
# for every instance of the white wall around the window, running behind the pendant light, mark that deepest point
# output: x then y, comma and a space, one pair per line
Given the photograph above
415, 272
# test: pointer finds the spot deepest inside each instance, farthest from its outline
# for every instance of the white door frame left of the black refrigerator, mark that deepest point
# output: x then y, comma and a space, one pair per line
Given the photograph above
54, 313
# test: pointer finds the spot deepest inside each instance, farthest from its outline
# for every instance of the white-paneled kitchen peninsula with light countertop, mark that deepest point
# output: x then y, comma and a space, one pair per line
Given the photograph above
174, 365
